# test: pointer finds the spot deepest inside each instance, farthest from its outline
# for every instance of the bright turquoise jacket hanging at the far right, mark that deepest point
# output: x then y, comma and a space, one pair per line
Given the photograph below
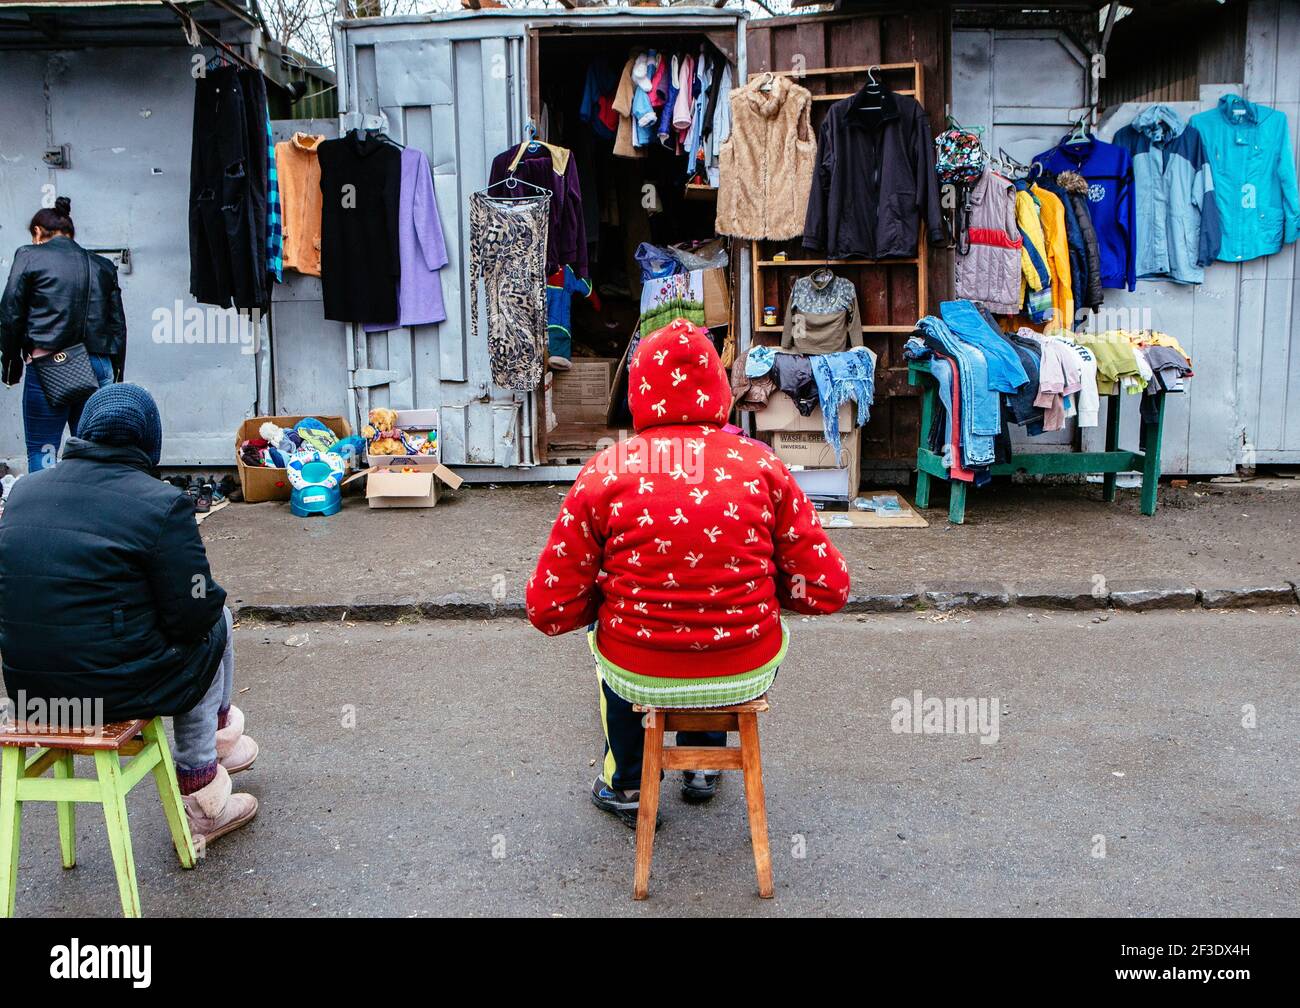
1255, 178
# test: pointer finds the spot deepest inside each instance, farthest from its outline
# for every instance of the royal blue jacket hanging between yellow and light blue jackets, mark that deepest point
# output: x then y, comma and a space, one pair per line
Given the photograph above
1110, 171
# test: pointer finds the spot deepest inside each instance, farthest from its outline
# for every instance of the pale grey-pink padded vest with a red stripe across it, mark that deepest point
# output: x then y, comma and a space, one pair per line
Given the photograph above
990, 272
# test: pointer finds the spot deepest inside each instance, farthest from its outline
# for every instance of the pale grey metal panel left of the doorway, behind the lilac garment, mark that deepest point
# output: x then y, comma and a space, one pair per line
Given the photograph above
460, 97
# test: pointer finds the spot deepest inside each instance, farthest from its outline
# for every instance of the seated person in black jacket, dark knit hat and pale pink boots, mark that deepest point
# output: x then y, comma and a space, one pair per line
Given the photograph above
107, 604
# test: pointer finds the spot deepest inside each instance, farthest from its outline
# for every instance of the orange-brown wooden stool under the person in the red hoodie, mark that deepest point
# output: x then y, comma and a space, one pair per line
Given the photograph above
742, 719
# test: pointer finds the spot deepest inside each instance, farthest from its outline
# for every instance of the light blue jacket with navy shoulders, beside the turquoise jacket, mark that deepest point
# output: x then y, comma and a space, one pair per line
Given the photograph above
1178, 218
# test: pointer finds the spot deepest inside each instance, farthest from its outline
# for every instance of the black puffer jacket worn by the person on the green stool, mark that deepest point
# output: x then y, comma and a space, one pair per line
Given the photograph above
106, 590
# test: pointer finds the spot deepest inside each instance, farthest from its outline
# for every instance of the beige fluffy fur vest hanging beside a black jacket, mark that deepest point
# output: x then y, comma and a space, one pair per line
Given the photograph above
766, 165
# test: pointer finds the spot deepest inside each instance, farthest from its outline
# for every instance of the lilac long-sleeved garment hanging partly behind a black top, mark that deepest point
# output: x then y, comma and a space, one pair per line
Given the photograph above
422, 248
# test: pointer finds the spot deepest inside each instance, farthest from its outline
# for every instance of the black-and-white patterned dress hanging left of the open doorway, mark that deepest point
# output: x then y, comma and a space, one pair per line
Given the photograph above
508, 253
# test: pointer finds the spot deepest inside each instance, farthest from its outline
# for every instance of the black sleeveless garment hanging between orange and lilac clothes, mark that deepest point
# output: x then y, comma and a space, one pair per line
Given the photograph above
361, 265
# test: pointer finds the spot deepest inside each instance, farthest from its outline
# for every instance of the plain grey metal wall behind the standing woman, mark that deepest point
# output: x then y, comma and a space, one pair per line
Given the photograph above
128, 123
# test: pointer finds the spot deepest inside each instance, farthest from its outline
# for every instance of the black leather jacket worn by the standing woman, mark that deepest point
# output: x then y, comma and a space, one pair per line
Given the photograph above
42, 305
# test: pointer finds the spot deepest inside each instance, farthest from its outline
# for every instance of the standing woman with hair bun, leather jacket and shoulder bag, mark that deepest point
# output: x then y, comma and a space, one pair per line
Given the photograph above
62, 315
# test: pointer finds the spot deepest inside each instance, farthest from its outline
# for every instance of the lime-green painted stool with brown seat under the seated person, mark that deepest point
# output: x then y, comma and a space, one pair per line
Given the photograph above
21, 782
